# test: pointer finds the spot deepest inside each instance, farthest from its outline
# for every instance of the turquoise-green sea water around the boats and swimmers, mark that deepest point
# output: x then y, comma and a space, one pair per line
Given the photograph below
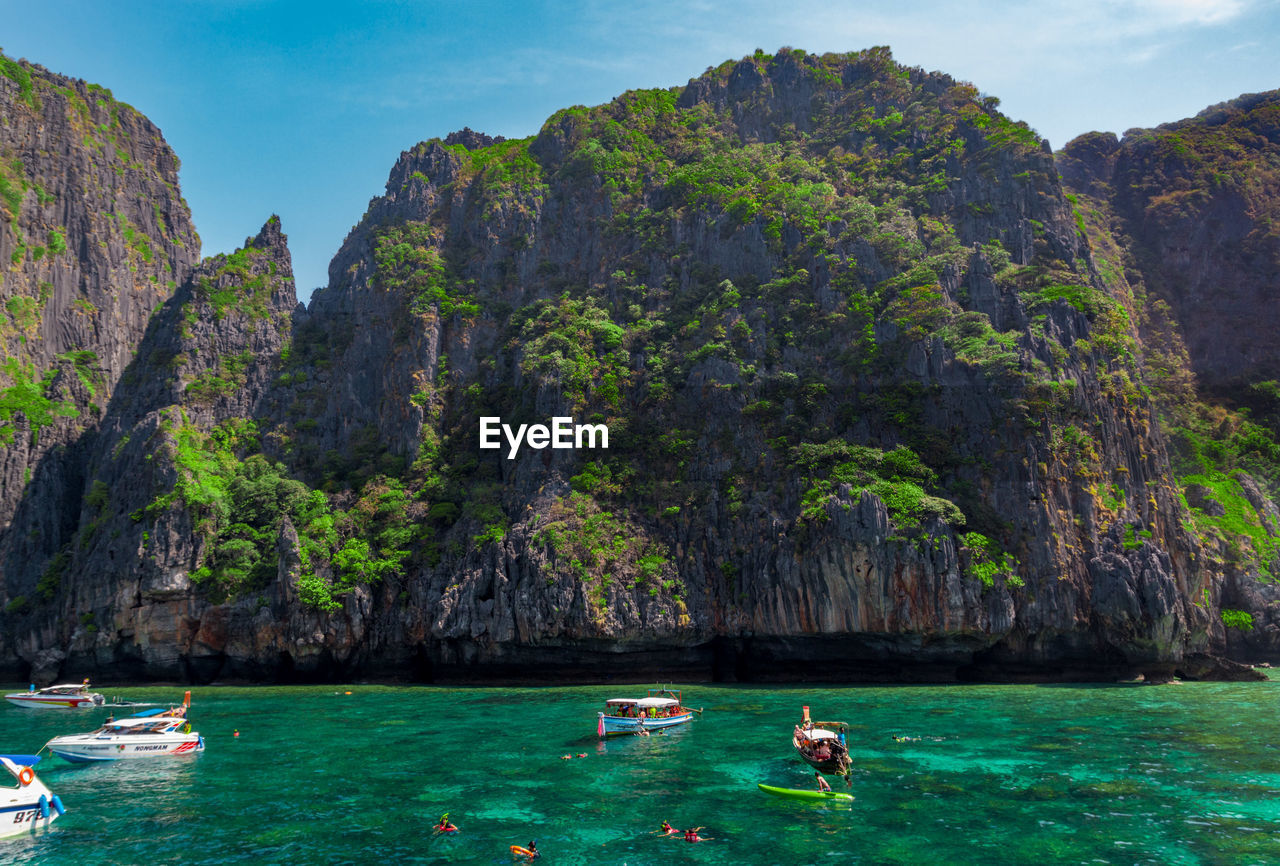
1002, 775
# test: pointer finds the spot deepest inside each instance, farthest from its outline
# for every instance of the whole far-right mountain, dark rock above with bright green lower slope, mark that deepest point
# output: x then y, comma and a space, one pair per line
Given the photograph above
1190, 217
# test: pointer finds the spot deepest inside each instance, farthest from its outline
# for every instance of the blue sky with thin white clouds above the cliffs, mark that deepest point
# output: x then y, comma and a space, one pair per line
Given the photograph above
300, 109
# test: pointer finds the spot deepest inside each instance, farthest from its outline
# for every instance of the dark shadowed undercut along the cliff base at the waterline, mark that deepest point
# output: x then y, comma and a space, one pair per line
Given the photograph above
756, 659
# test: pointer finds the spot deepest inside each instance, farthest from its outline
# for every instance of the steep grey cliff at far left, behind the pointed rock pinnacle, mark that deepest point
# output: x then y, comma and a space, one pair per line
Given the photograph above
94, 239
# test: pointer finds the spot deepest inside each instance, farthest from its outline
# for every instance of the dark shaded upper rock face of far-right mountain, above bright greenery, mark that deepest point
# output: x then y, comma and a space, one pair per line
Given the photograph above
1199, 200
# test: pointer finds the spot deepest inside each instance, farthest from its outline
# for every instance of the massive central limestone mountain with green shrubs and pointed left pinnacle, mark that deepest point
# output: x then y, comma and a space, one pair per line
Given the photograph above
884, 401
